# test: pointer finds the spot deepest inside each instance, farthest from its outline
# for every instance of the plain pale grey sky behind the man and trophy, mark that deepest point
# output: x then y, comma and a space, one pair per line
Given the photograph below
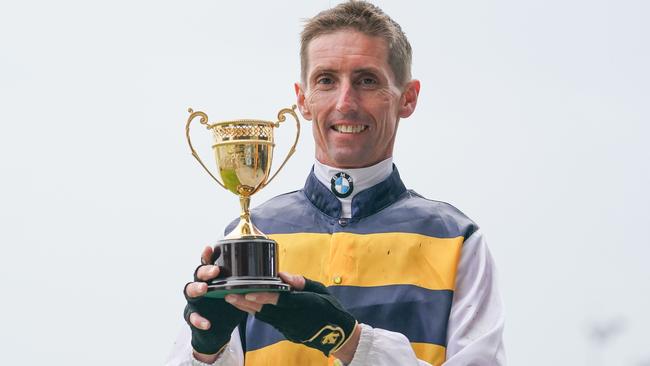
532, 119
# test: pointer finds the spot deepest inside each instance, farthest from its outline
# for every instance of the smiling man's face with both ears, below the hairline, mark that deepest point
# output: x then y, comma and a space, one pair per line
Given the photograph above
351, 98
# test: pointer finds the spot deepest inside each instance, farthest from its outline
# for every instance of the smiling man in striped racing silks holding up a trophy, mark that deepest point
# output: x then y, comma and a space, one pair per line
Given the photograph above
381, 276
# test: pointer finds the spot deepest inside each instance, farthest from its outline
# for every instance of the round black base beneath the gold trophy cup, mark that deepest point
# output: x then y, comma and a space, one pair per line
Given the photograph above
247, 265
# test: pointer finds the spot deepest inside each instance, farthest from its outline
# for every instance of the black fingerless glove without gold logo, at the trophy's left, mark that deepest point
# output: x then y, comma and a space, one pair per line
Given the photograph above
223, 319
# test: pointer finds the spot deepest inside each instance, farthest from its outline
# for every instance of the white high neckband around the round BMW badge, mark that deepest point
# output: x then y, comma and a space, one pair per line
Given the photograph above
361, 178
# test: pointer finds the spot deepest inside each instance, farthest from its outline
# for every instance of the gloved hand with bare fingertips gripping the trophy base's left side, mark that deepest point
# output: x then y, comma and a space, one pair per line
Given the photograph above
211, 320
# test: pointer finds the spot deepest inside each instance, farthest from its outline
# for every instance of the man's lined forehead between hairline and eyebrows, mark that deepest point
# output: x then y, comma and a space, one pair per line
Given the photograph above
346, 50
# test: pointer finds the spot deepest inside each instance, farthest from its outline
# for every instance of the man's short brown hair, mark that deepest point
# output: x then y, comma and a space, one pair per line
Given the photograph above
367, 19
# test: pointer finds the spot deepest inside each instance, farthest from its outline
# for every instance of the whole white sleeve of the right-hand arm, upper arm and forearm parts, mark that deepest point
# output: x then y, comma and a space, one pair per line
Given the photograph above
475, 331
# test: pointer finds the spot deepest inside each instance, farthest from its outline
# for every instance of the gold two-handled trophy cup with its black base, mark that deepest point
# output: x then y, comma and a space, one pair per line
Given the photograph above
243, 150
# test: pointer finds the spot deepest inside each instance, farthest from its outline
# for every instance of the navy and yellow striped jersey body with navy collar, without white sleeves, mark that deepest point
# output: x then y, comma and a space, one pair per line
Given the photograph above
392, 264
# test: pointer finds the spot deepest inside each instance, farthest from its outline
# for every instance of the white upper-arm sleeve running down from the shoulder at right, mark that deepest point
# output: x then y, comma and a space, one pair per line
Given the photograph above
475, 330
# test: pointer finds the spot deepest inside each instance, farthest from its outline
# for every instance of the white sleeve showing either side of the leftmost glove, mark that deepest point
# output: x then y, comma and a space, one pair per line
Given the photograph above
182, 355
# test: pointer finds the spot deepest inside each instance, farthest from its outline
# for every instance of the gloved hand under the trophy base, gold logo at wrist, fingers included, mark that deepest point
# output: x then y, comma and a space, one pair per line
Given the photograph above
311, 316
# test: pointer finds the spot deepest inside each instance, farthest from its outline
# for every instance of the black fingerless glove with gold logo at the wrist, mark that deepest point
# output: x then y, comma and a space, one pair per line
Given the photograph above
312, 317
